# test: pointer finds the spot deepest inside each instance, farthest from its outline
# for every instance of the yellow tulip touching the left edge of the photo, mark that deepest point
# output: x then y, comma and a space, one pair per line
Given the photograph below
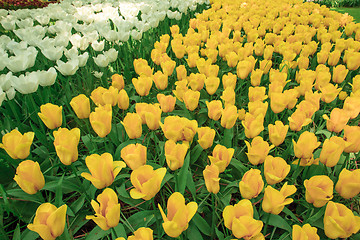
16, 144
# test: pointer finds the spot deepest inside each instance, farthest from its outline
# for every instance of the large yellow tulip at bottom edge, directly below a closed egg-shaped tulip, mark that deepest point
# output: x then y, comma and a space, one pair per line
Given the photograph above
239, 219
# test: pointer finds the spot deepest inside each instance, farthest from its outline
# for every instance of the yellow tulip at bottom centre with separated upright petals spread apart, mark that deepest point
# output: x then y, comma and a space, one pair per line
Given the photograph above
179, 215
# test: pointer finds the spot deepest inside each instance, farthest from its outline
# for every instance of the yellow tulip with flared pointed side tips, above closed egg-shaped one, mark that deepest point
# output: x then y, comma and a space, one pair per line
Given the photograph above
257, 150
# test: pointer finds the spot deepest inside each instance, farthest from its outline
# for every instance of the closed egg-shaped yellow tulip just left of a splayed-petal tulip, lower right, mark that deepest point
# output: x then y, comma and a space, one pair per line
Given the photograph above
251, 184
